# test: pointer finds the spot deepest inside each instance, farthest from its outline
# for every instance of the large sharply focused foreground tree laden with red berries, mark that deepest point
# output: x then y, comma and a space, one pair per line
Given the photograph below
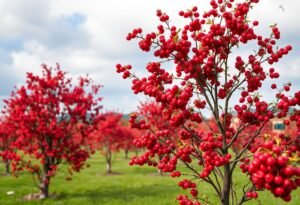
208, 75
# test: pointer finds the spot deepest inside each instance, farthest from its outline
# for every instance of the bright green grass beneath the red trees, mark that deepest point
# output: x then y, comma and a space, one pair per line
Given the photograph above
132, 185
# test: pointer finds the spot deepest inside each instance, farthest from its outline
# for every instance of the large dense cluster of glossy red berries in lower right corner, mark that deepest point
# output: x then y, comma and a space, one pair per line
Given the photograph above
272, 169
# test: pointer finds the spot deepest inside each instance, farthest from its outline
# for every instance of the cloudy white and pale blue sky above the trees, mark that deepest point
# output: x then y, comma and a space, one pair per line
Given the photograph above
88, 36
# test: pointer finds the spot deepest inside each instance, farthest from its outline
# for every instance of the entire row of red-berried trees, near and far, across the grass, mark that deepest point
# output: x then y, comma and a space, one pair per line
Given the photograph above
52, 121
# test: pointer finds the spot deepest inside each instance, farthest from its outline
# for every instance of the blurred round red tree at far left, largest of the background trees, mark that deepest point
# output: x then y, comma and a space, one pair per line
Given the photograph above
51, 117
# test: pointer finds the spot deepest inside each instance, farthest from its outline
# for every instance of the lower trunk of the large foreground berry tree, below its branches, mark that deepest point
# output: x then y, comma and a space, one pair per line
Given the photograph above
226, 190
